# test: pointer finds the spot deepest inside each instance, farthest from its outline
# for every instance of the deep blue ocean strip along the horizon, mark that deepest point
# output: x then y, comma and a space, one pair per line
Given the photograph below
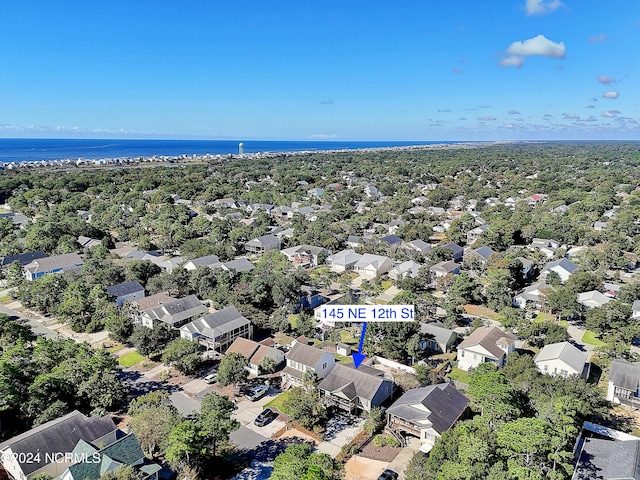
30, 149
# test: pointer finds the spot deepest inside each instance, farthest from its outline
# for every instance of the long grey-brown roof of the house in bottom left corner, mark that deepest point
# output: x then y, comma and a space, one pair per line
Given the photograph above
59, 435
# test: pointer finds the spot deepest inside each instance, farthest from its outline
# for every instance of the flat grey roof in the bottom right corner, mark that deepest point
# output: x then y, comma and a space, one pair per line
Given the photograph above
605, 459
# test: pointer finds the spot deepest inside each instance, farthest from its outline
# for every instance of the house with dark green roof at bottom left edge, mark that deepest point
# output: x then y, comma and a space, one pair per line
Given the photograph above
108, 454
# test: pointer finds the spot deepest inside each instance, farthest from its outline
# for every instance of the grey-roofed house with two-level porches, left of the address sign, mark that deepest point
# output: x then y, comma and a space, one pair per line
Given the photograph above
219, 329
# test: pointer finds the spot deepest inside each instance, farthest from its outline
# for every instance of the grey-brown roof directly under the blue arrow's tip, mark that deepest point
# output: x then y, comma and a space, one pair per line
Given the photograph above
351, 382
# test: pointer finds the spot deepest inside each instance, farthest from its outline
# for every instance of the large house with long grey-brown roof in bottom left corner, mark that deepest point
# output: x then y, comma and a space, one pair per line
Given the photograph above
17, 455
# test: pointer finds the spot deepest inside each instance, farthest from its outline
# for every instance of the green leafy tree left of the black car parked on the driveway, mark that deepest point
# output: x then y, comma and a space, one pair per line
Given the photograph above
215, 419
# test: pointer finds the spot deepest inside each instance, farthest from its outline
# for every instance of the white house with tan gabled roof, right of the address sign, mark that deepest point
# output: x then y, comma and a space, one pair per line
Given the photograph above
486, 344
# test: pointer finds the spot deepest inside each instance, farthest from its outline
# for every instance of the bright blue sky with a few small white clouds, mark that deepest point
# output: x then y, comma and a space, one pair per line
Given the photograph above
342, 70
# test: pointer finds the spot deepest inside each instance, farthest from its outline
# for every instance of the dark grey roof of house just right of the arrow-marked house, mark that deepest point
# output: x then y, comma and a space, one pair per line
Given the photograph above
440, 404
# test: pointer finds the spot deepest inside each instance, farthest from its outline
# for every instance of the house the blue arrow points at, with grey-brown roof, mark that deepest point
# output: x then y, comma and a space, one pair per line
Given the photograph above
354, 389
